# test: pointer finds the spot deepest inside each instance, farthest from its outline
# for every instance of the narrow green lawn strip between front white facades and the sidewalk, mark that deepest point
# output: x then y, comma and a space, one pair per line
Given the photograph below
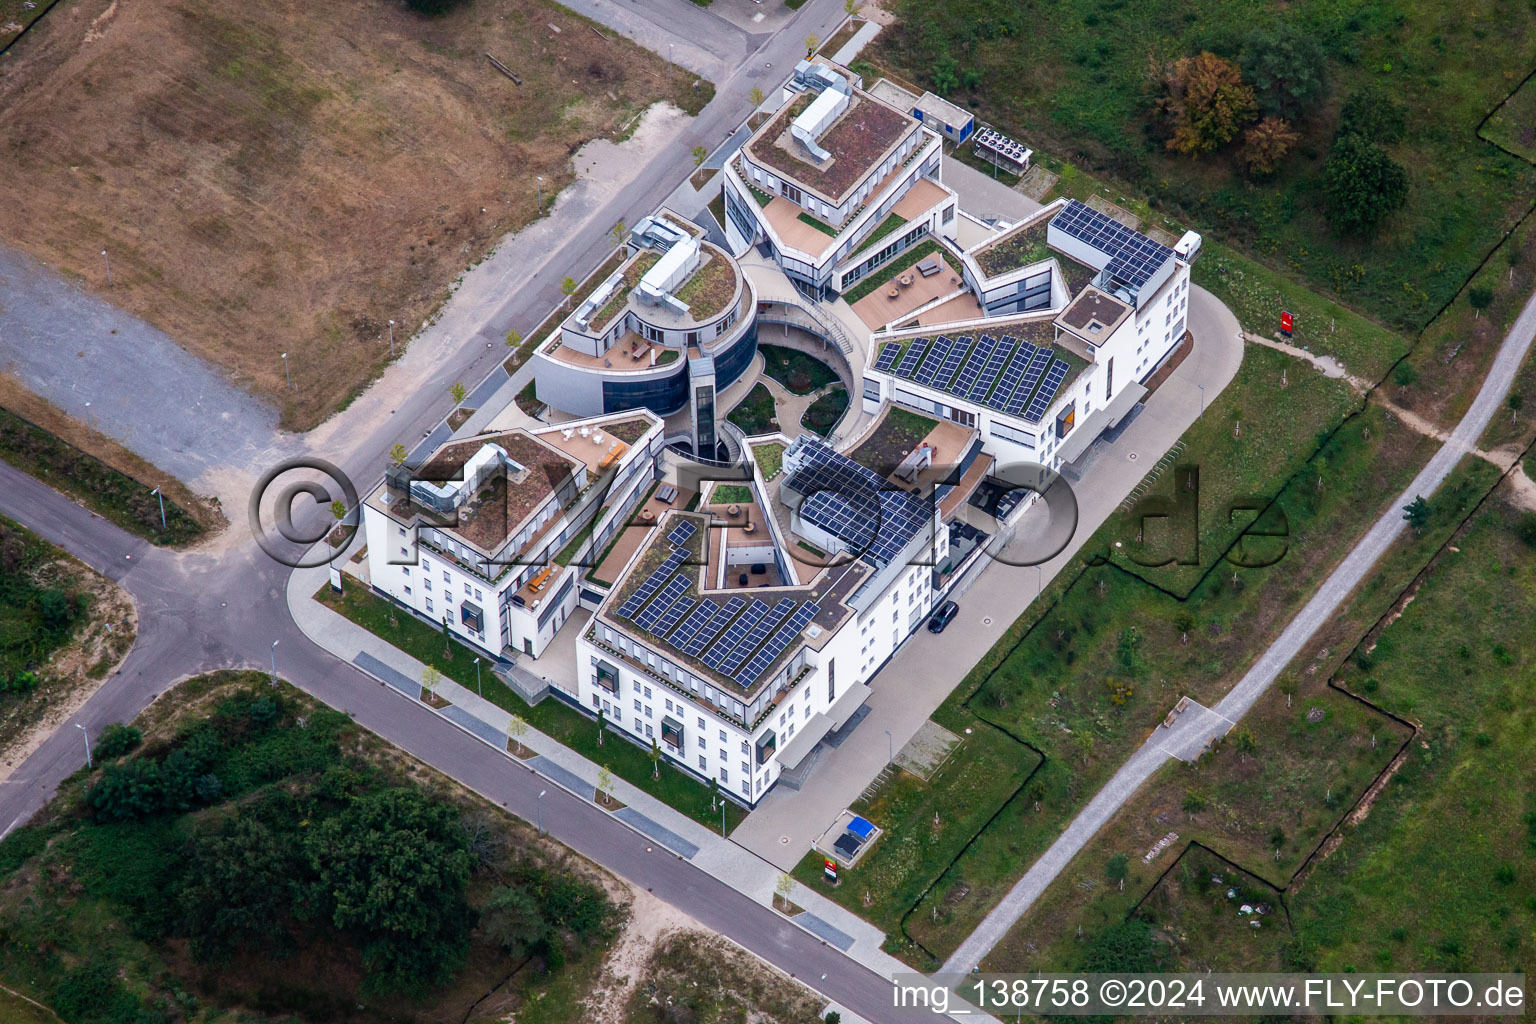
551, 716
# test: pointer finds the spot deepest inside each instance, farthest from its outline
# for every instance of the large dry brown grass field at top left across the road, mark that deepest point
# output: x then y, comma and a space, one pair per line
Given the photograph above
283, 177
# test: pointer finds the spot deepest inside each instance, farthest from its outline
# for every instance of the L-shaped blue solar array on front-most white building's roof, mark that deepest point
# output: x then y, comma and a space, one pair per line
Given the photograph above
724, 636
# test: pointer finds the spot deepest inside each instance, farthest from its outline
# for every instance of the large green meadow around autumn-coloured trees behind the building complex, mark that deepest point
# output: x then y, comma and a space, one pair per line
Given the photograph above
1076, 85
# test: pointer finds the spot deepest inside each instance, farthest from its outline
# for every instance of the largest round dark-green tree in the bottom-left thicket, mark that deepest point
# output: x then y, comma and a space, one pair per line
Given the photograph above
392, 870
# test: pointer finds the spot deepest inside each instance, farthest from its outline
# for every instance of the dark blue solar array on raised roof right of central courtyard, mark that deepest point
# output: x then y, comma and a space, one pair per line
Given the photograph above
855, 504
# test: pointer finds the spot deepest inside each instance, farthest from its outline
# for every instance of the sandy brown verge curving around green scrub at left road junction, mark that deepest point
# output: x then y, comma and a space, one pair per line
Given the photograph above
68, 684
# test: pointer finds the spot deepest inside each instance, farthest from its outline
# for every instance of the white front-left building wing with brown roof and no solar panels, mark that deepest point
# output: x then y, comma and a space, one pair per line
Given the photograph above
482, 535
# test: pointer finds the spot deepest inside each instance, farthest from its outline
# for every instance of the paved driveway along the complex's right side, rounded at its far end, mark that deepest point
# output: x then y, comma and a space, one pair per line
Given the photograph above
930, 667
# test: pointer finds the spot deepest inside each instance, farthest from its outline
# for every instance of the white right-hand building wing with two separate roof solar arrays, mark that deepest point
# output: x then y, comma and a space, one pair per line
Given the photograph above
1079, 311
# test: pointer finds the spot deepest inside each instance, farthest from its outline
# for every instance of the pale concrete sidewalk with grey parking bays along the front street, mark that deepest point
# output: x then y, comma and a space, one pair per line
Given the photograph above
721, 857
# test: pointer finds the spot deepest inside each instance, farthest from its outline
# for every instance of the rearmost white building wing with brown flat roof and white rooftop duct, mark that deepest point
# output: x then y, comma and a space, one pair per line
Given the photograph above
836, 183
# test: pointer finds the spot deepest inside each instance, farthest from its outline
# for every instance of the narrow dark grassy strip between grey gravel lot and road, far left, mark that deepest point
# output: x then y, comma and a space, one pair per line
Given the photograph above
113, 495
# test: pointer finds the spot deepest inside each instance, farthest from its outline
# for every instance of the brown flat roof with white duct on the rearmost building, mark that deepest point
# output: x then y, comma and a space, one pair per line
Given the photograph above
858, 140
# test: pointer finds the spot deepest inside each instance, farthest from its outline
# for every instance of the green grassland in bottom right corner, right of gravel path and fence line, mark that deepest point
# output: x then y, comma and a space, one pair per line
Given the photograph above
1440, 876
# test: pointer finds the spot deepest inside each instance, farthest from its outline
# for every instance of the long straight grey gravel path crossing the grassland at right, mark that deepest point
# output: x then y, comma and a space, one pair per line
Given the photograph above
1313, 616
